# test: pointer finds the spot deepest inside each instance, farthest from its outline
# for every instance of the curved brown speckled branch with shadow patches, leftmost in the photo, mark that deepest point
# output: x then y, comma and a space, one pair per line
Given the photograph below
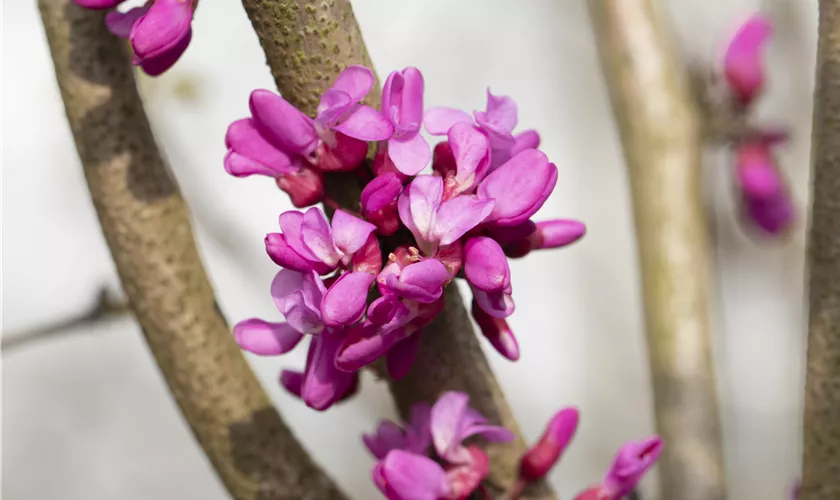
147, 227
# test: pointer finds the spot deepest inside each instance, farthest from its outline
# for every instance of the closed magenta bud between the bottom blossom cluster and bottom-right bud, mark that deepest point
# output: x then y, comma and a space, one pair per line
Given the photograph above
540, 458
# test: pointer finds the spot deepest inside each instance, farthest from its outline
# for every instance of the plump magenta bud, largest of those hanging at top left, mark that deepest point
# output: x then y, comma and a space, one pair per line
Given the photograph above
161, 35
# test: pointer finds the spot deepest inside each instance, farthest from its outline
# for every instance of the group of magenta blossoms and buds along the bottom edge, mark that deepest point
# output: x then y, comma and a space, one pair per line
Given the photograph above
405, 471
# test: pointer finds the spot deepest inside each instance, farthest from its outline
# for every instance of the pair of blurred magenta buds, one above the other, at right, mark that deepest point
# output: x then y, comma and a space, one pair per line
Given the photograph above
765, 197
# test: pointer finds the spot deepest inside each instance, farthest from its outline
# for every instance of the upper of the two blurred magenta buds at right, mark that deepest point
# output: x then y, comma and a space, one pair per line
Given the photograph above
742, 64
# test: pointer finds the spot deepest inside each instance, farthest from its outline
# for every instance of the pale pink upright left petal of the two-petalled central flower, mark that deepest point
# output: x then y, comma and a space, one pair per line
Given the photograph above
418, 205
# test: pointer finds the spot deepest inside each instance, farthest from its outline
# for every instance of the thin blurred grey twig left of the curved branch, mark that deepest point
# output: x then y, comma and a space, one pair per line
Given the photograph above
105, 307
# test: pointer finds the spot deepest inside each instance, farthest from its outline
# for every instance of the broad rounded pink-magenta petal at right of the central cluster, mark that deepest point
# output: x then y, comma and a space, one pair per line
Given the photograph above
520, 187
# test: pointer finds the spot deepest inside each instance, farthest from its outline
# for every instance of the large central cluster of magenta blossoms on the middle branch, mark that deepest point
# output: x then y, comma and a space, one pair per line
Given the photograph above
463, 220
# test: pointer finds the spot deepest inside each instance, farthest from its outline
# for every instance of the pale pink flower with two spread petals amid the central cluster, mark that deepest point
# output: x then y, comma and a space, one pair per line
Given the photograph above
435, 222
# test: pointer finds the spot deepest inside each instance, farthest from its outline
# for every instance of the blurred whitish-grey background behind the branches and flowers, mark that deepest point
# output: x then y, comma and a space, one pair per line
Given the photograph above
85, 413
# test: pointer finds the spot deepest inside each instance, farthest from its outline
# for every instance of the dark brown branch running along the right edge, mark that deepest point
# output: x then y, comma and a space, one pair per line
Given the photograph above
821, 469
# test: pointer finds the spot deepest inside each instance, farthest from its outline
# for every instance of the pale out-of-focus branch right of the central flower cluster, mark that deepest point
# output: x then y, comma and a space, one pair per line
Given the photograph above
661, 136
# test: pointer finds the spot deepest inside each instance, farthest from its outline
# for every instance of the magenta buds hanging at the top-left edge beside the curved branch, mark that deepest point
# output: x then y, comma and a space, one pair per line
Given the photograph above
159, 31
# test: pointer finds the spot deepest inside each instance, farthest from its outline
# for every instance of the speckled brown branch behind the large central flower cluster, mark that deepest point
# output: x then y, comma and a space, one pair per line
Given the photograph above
307, 44
